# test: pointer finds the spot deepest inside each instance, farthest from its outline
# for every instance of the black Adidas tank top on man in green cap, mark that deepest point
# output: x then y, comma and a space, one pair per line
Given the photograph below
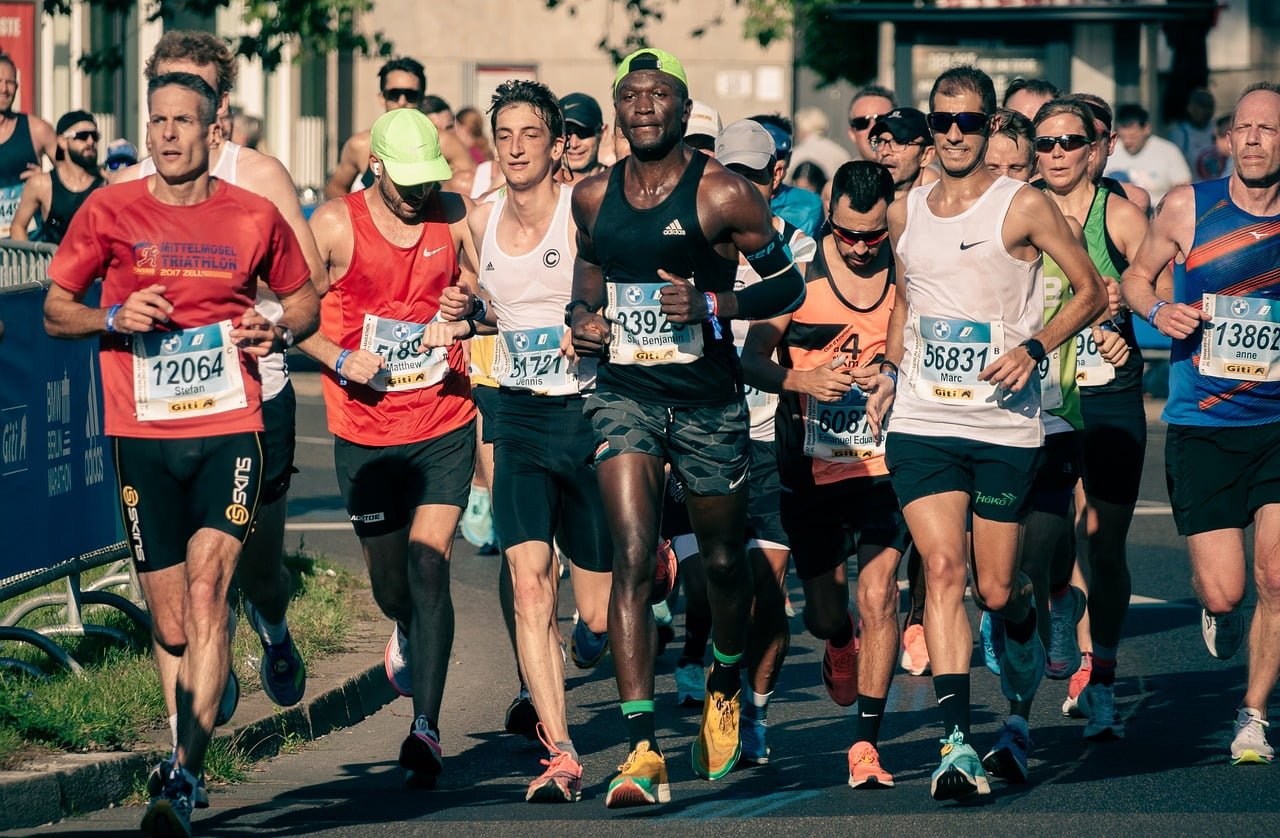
633, 245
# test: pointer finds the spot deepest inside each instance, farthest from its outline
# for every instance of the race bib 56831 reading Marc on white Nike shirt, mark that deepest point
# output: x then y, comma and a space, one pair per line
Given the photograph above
949, 356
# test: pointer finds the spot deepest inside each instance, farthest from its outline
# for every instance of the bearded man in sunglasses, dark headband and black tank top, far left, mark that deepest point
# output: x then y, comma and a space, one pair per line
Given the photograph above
53, 198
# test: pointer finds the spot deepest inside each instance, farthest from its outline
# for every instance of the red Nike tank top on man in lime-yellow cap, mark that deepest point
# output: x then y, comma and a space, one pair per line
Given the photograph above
400, 287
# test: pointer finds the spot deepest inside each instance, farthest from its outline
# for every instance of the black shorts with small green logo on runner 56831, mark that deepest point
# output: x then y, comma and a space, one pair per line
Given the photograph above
996, 478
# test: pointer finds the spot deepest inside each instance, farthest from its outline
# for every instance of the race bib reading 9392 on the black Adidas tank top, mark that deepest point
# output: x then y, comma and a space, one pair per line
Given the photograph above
642, 333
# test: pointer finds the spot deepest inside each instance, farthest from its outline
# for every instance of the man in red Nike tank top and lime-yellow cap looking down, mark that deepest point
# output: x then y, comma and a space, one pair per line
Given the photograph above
399, 400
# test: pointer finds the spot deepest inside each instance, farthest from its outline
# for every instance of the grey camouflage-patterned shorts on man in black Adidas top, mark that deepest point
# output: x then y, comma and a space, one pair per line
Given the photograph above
708, 447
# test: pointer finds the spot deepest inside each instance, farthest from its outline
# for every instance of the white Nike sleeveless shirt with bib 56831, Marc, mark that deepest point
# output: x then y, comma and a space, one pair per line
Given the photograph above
970, 301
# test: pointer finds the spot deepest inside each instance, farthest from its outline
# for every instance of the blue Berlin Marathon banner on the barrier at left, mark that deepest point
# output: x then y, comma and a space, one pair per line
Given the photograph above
58, 494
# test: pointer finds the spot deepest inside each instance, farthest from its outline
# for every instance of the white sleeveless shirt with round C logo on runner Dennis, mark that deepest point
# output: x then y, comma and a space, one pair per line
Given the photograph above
531, 292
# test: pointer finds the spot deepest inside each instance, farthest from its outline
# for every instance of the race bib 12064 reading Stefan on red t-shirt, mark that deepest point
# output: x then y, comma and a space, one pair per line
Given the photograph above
188, 373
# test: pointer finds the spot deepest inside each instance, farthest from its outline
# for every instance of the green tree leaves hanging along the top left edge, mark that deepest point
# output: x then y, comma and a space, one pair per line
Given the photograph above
316, 28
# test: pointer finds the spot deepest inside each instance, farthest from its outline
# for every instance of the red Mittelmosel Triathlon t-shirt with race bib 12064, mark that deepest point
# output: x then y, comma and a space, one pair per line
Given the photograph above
209, 258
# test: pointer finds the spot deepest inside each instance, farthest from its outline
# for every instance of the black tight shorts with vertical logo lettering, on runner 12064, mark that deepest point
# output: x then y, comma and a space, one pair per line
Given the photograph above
172, 488
